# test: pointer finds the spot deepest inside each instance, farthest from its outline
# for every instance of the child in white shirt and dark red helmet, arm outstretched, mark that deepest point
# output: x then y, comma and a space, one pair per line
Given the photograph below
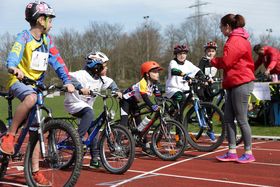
180, 70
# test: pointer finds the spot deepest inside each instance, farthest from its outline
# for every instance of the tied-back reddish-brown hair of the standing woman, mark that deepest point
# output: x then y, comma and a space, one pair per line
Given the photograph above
234, 21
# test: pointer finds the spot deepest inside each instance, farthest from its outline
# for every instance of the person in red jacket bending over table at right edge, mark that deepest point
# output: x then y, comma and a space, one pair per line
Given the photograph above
270, 57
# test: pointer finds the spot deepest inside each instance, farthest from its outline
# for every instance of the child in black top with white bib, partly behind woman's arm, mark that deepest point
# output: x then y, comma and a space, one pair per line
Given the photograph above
210, 49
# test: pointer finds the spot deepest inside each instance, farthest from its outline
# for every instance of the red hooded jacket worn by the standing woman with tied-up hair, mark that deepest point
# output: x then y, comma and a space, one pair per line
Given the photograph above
237, 61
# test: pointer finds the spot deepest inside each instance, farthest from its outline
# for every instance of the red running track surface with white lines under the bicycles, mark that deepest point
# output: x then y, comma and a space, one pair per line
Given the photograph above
192, 169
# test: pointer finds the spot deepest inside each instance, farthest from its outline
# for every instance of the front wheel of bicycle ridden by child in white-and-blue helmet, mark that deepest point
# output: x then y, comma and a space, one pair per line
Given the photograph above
117, 149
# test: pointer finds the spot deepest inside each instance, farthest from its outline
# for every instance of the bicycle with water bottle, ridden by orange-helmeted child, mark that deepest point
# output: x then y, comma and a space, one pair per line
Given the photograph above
168, 139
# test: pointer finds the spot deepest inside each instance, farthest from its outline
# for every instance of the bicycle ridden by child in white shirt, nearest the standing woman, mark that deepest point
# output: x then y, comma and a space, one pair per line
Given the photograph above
203, 121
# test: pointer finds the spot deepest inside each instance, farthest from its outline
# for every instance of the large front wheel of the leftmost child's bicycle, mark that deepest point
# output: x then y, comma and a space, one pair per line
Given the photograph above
50, 165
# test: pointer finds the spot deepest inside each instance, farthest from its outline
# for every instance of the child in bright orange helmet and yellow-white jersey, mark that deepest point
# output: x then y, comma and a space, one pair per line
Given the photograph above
141, 91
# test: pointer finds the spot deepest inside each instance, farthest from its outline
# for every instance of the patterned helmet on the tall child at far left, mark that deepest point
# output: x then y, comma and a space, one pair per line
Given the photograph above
34, 10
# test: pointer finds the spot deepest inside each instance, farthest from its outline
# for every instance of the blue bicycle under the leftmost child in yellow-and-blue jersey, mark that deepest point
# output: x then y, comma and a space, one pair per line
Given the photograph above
42, 135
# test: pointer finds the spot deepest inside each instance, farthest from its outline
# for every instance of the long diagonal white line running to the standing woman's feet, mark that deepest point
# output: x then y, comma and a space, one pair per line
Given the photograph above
172, 164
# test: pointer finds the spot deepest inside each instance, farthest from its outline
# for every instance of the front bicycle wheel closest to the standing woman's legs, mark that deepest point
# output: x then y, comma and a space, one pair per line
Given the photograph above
205, 138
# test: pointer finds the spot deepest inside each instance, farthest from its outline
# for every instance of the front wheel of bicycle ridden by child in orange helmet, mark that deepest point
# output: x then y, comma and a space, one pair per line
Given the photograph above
169, 140
